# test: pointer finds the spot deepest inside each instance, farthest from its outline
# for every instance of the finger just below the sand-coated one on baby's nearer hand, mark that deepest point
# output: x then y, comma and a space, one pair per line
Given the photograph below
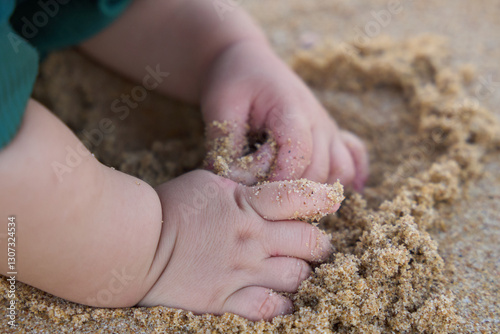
297, 239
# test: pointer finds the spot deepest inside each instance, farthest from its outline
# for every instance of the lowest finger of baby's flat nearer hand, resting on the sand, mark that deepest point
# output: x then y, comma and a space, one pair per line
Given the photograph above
257, 303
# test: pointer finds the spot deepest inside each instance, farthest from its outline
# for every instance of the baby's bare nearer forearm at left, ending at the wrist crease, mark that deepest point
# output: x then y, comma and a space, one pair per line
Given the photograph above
85, 232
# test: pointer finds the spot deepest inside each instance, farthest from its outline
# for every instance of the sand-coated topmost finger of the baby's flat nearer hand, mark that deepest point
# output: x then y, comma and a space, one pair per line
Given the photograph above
299, 199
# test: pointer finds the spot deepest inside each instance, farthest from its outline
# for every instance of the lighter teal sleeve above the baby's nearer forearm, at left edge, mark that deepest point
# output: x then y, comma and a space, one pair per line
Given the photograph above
18, 69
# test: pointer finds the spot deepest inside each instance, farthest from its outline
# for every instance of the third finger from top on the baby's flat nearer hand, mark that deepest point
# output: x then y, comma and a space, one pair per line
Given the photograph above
282, 273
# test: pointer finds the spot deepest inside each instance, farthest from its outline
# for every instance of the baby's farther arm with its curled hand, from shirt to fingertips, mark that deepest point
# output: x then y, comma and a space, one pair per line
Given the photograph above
223, 62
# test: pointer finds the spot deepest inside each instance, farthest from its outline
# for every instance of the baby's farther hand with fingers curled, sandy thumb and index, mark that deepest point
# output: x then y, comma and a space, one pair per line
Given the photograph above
250, 90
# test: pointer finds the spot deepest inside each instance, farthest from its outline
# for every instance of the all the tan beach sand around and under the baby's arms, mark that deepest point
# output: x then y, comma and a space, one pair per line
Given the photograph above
416, 253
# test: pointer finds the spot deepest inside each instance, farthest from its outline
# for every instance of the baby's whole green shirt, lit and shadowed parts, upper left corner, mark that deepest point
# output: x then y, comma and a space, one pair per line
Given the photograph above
32, 28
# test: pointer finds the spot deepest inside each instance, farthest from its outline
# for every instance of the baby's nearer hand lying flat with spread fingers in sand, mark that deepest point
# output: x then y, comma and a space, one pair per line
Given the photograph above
226, 247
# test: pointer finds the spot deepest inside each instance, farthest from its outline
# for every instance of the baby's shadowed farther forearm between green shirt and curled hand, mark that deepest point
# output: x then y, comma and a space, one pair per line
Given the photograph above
182, 37
